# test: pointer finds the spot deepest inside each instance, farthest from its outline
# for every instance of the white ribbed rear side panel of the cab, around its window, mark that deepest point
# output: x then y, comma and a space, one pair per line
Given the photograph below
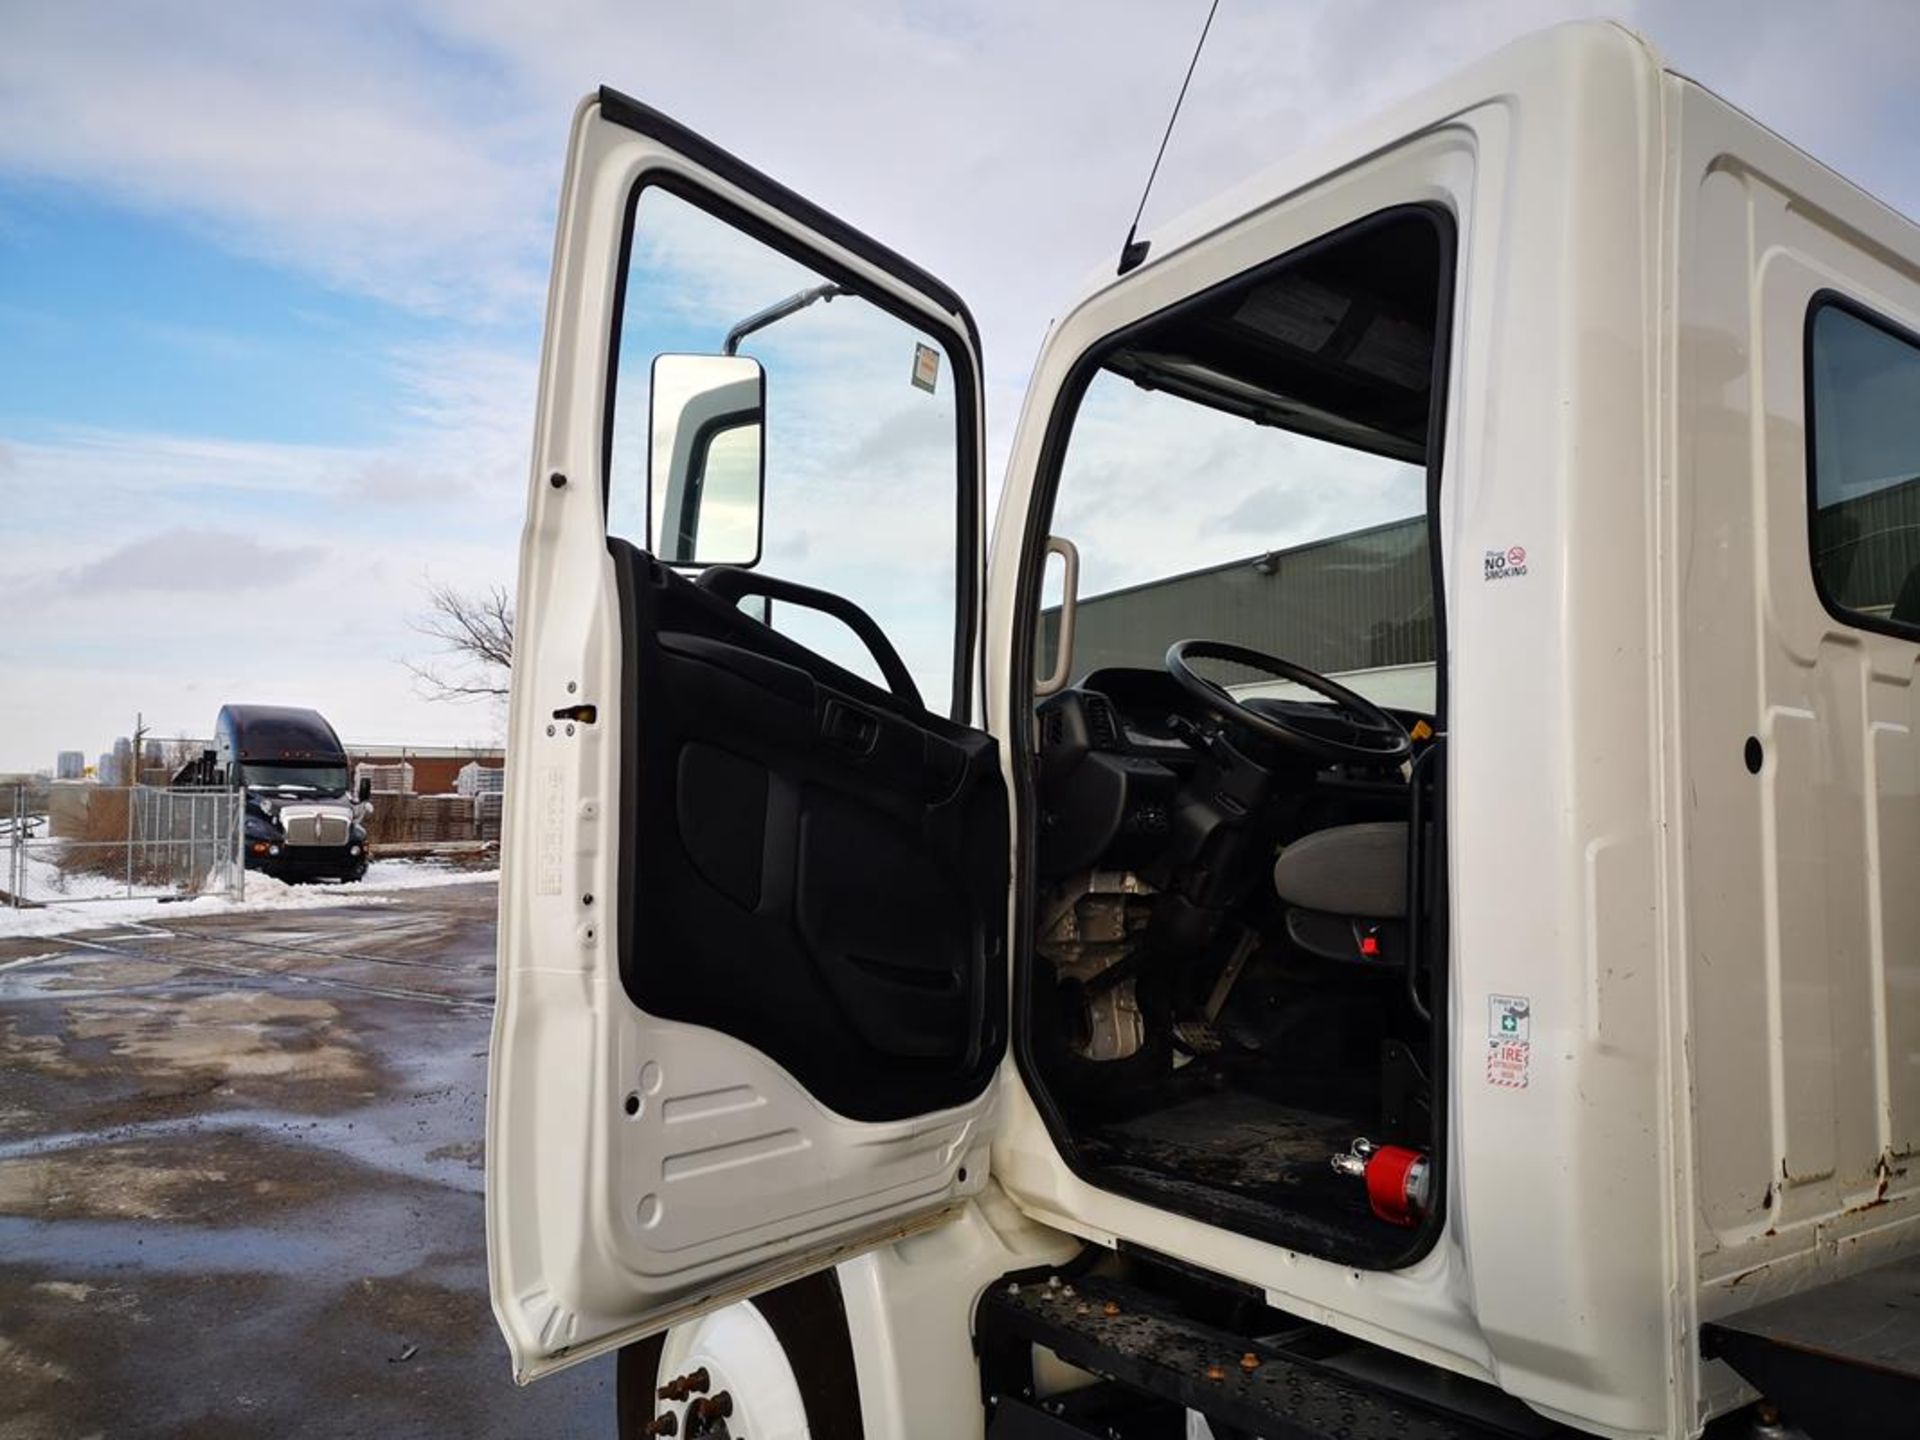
1802, 804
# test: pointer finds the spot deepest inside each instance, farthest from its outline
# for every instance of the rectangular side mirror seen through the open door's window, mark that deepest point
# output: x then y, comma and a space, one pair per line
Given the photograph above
706, 460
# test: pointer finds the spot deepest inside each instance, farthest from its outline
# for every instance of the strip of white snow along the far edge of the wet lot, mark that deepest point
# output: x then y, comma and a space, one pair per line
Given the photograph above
262, 894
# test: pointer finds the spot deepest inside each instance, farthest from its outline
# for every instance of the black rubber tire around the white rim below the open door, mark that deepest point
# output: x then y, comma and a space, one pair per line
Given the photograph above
809, 1320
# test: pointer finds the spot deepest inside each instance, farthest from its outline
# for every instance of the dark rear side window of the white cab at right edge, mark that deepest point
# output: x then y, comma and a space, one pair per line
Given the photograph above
1865, 458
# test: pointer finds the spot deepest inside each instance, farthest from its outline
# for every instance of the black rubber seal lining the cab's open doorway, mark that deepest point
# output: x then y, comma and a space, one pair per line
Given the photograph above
1028, 604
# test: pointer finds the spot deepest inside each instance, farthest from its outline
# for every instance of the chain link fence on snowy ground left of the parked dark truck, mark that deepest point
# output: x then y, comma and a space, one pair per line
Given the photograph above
70, 844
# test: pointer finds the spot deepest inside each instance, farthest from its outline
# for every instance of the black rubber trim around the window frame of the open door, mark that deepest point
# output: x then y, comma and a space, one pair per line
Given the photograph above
969, 358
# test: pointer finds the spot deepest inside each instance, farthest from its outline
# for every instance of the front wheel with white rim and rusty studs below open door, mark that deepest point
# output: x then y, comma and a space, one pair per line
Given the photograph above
773, 1368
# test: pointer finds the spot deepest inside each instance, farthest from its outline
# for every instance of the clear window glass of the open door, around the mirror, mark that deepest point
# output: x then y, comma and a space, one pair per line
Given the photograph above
861, 433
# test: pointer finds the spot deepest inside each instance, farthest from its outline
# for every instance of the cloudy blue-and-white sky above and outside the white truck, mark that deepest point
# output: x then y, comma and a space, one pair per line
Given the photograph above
272, 276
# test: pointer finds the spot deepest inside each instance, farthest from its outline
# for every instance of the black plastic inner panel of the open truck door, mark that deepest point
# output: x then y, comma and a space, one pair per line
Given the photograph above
817, 867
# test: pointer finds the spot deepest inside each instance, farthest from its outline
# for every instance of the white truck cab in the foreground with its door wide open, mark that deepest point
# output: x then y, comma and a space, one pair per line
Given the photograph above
1410, 930
